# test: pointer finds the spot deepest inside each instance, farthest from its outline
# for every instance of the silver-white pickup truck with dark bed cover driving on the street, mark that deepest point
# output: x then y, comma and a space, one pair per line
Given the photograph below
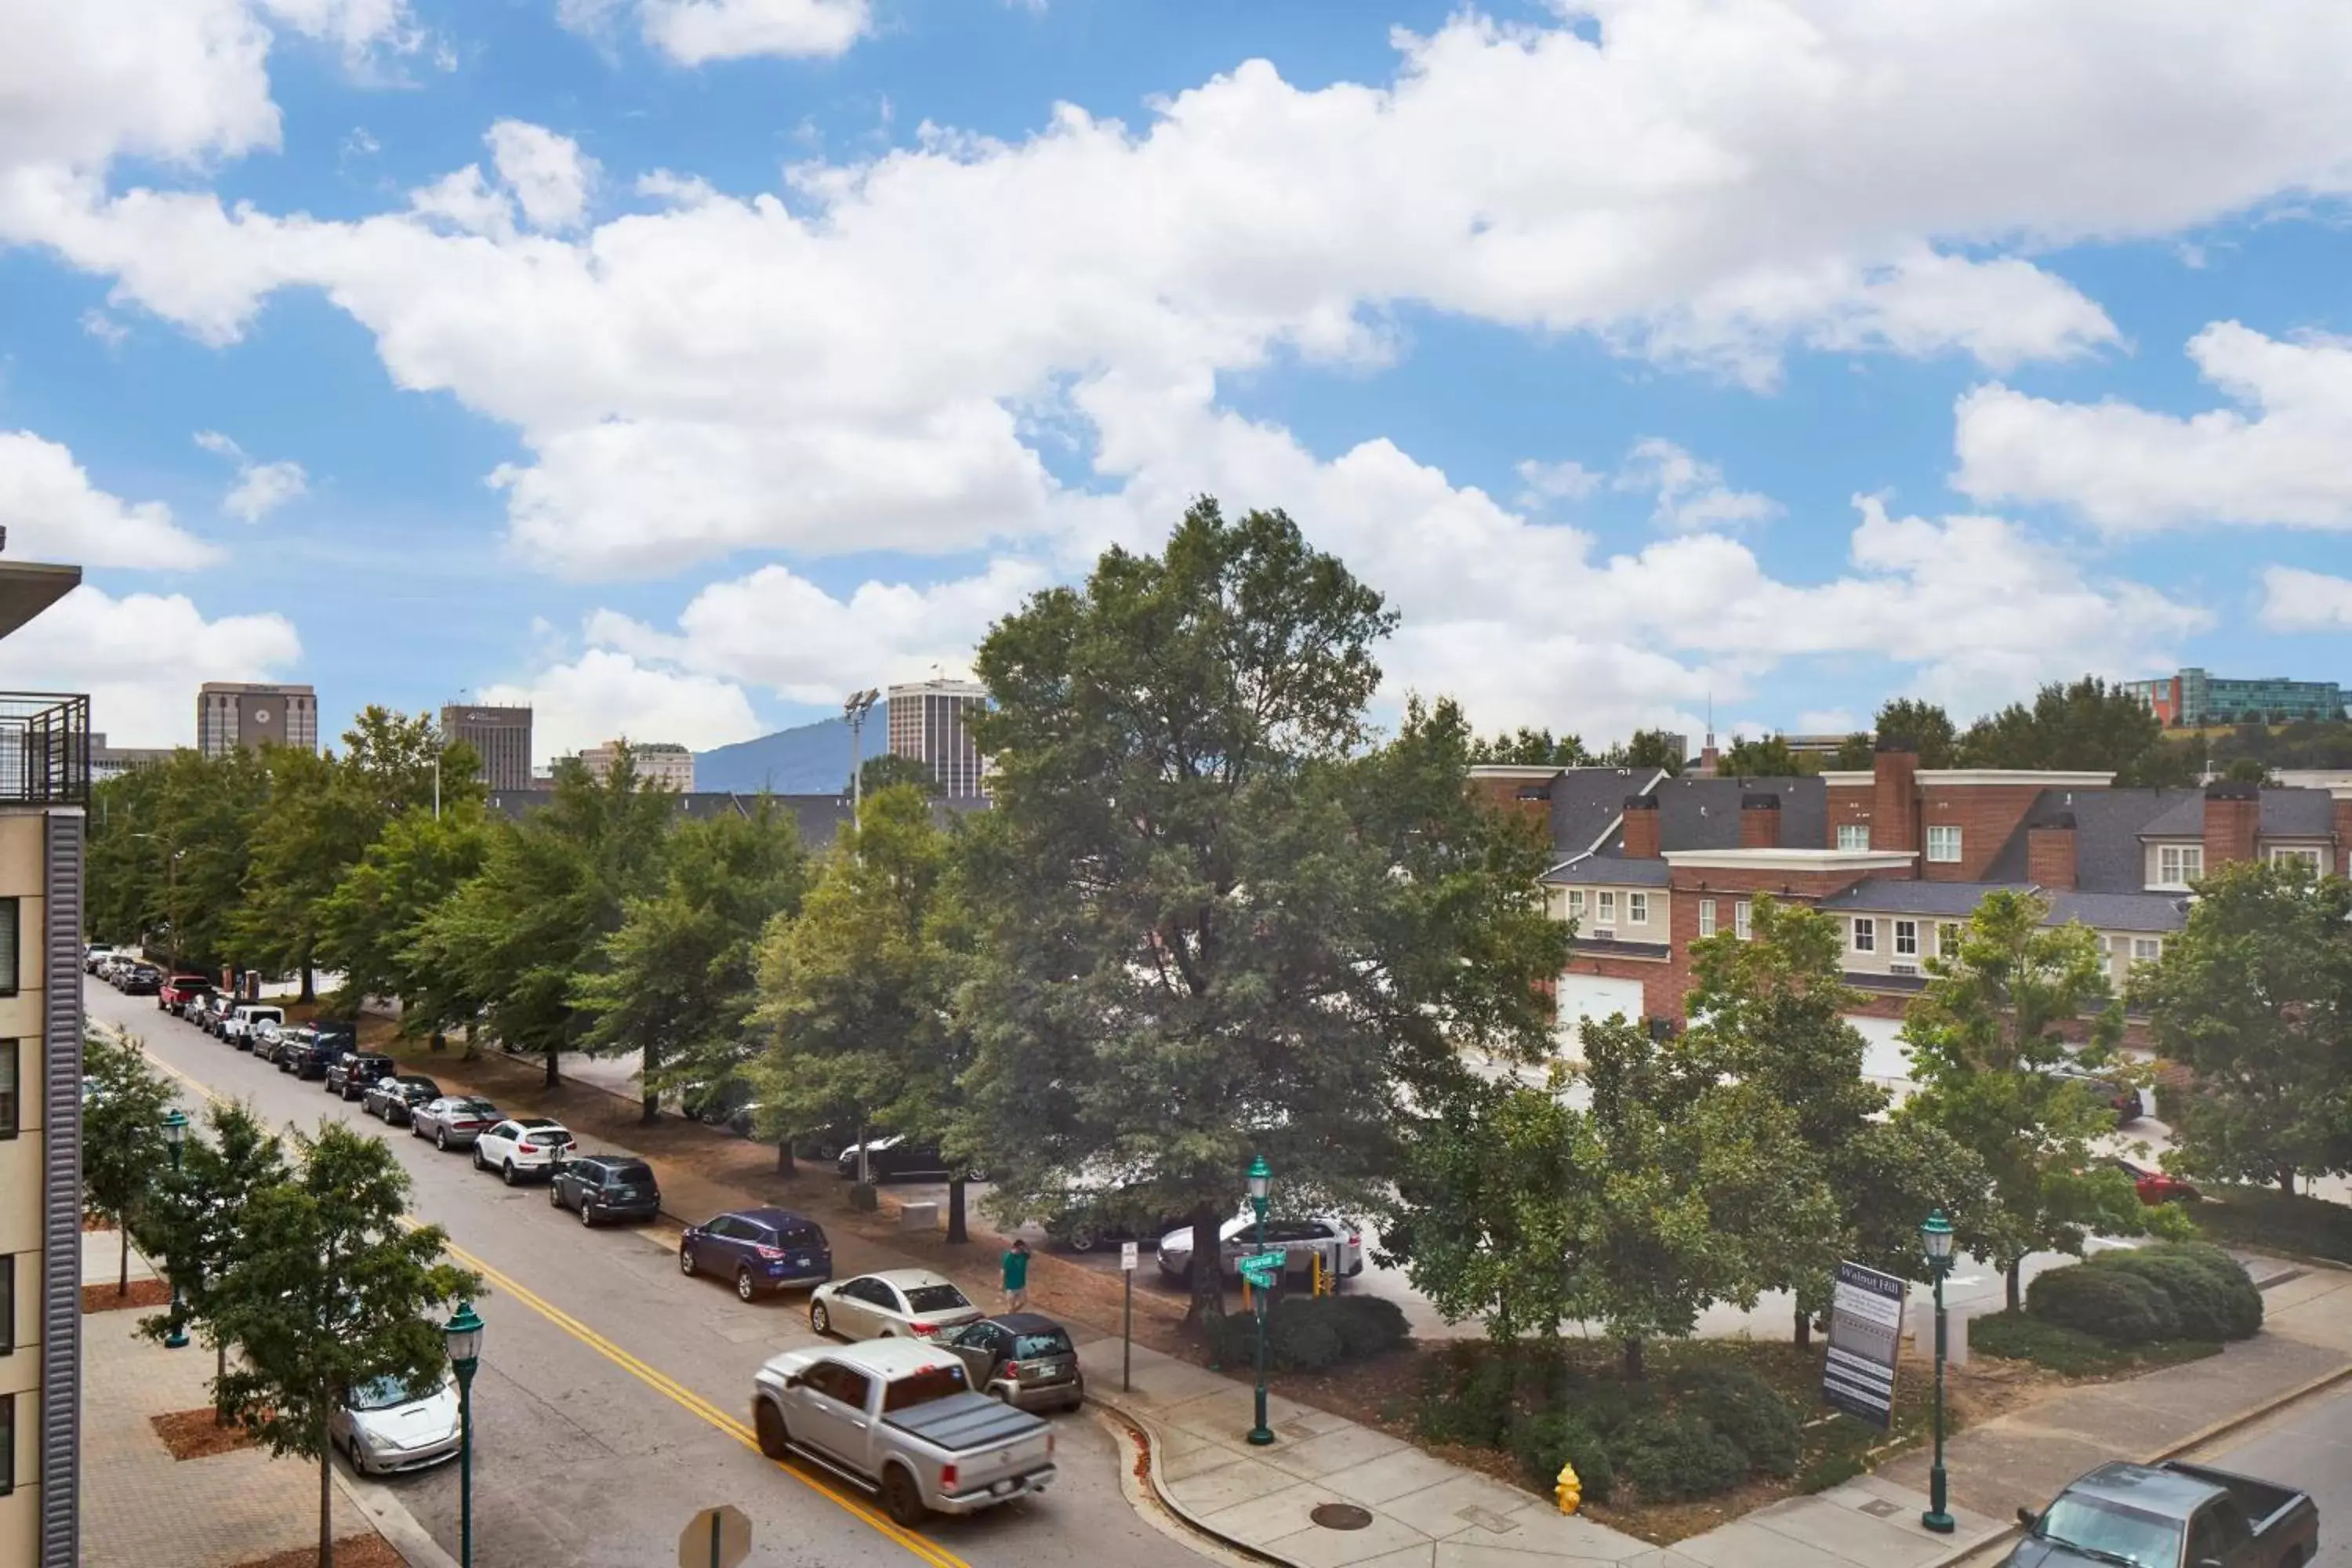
902, 1421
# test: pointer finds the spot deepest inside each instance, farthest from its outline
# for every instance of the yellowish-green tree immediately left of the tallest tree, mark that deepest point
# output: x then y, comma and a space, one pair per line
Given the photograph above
857, 996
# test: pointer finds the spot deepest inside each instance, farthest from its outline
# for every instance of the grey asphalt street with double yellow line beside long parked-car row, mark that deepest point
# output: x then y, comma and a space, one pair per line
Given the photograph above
615, 1395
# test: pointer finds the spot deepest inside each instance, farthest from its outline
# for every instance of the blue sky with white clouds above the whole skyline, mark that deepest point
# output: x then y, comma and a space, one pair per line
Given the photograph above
679, 366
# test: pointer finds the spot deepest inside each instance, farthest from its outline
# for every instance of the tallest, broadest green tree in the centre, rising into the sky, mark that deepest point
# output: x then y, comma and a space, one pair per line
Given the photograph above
1205, 899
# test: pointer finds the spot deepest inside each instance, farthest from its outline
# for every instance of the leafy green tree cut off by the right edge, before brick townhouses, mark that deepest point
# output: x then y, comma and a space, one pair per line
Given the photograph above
2254, 998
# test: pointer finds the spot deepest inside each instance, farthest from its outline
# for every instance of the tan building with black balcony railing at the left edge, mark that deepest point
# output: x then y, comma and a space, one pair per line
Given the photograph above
44, 798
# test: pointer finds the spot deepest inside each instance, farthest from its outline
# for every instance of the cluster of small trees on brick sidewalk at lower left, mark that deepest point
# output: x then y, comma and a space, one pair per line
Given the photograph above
293, 1257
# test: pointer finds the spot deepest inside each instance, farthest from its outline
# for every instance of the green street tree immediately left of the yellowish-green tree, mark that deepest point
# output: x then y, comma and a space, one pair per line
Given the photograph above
676, 979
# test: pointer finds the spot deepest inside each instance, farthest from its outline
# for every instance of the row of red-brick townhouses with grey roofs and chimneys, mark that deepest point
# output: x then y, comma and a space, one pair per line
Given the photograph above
1902, 855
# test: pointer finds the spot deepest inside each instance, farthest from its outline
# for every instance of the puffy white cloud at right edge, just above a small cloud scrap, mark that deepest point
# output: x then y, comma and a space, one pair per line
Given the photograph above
2273, 460
